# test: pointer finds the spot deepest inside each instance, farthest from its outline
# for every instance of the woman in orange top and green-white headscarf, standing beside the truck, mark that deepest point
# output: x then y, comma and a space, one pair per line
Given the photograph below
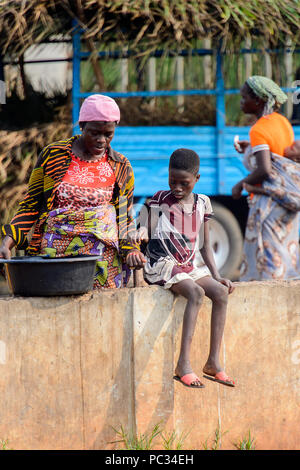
271, 246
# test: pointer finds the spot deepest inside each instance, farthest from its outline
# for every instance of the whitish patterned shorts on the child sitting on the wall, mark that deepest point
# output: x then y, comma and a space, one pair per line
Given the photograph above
162, 272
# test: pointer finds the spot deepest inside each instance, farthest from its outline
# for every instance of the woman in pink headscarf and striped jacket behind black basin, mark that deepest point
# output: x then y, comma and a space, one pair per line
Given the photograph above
80, 198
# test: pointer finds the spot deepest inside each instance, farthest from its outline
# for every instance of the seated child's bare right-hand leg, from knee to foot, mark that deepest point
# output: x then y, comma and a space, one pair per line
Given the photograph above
218, 293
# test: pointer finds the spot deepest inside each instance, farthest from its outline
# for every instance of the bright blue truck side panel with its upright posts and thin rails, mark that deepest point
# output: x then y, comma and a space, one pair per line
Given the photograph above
149, 148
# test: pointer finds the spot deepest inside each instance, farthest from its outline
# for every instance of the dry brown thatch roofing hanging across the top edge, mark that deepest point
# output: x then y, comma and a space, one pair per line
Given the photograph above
146, 23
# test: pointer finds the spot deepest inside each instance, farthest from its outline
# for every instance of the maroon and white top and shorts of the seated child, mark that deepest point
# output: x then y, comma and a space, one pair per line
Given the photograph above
172, 249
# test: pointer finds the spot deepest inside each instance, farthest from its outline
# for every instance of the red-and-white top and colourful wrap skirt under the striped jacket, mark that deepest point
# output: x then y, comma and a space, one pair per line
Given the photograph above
83, 221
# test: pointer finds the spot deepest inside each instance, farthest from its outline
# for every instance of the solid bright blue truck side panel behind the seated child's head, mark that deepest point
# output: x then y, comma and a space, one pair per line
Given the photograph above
149, 149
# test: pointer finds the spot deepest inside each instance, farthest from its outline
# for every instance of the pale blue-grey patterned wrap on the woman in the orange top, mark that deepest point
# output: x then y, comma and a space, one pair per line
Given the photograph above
271, 246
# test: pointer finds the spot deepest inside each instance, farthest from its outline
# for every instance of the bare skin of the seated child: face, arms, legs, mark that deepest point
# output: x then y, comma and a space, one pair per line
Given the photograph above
215, 287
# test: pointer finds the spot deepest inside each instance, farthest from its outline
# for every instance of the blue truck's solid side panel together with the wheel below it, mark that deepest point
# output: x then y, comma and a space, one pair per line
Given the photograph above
149, 149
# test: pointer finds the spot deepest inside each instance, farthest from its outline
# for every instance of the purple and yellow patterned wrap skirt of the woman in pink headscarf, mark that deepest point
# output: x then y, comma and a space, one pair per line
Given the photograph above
87, 232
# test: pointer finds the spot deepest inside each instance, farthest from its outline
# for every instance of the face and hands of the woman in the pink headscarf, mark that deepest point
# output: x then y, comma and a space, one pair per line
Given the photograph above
91, 145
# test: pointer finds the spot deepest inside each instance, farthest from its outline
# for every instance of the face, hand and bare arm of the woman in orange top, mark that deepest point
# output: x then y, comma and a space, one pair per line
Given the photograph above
252, 104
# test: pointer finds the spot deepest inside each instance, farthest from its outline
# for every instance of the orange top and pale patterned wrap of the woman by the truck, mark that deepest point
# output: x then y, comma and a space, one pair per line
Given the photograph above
271, 246
